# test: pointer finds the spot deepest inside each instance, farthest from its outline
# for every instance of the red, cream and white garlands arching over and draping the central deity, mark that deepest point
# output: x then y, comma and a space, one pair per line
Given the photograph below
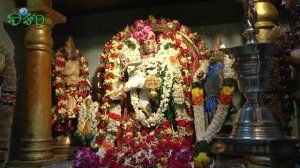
173, 46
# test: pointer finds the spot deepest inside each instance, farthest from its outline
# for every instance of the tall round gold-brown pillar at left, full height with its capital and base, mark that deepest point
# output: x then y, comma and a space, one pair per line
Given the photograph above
36, 140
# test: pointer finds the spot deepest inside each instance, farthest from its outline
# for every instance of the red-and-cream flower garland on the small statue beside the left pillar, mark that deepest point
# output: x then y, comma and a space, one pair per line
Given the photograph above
60, 85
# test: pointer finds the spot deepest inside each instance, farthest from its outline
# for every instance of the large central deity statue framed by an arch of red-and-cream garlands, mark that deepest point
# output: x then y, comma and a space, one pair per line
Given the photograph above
145, 82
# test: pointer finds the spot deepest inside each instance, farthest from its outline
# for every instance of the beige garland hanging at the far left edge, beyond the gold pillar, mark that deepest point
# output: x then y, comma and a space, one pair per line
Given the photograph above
7, 100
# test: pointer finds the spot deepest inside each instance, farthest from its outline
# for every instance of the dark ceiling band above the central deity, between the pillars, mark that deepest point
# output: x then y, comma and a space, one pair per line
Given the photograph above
191, 11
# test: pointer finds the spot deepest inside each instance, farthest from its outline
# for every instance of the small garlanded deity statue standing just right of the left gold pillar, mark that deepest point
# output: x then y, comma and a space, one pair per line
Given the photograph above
72, 88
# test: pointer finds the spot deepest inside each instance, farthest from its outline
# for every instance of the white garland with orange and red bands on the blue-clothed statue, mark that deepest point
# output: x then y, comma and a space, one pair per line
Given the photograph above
225, 99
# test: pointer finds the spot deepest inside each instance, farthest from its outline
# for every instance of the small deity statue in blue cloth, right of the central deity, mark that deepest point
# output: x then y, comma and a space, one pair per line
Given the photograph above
218, 89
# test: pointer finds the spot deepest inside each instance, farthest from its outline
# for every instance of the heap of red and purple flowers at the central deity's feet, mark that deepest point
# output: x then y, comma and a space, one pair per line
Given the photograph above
150, 153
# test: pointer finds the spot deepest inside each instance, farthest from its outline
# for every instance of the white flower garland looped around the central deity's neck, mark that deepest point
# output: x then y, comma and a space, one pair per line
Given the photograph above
172, 82
